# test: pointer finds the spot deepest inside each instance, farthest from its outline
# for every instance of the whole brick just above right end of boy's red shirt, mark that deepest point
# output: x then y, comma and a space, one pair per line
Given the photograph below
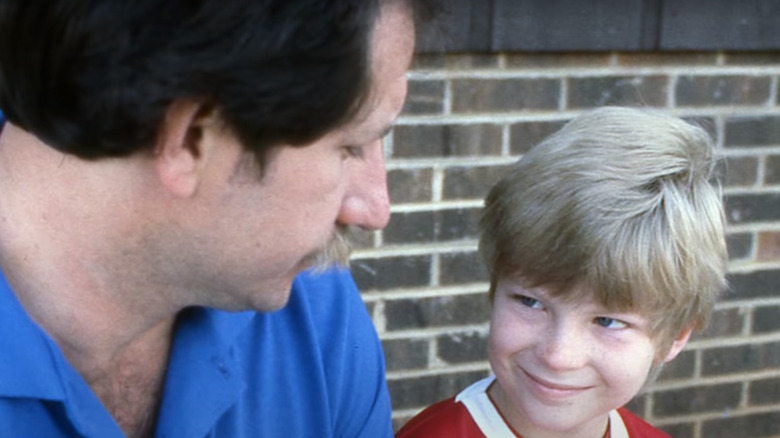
713, 398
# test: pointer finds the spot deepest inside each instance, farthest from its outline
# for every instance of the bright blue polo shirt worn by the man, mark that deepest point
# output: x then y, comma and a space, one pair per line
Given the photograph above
313, 369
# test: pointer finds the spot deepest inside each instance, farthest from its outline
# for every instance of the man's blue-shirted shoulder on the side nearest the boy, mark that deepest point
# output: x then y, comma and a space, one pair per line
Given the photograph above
314, 365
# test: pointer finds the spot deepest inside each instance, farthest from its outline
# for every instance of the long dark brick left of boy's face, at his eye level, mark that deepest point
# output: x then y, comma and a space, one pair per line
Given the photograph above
407, 314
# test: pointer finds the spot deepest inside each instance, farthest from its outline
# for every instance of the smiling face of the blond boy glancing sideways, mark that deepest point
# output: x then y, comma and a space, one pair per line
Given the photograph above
562, 364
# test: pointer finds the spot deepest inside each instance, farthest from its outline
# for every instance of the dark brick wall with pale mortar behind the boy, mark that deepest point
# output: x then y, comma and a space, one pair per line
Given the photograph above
468, 117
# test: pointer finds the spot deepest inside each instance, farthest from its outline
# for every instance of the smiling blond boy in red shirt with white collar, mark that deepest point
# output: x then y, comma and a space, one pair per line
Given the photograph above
606, 249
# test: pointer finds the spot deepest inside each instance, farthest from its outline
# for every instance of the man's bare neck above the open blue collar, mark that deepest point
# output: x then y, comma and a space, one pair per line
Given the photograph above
72, 274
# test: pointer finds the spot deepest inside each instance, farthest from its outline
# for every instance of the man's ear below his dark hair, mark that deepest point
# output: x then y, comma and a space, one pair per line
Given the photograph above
179, 149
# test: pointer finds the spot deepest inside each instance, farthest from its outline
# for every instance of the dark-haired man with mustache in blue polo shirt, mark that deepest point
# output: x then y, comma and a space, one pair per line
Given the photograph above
165, 159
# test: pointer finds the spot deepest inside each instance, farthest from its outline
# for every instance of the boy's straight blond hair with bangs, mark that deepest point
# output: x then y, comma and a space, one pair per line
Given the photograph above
621, 201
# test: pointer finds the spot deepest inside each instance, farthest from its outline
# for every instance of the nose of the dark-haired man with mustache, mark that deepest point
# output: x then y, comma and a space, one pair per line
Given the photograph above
366, 202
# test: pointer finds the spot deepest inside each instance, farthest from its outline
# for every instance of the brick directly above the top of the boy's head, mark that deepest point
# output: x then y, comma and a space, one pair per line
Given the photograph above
591, 92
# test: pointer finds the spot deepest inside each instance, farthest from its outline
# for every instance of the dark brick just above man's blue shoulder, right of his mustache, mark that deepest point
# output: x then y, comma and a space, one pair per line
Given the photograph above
391, 272
